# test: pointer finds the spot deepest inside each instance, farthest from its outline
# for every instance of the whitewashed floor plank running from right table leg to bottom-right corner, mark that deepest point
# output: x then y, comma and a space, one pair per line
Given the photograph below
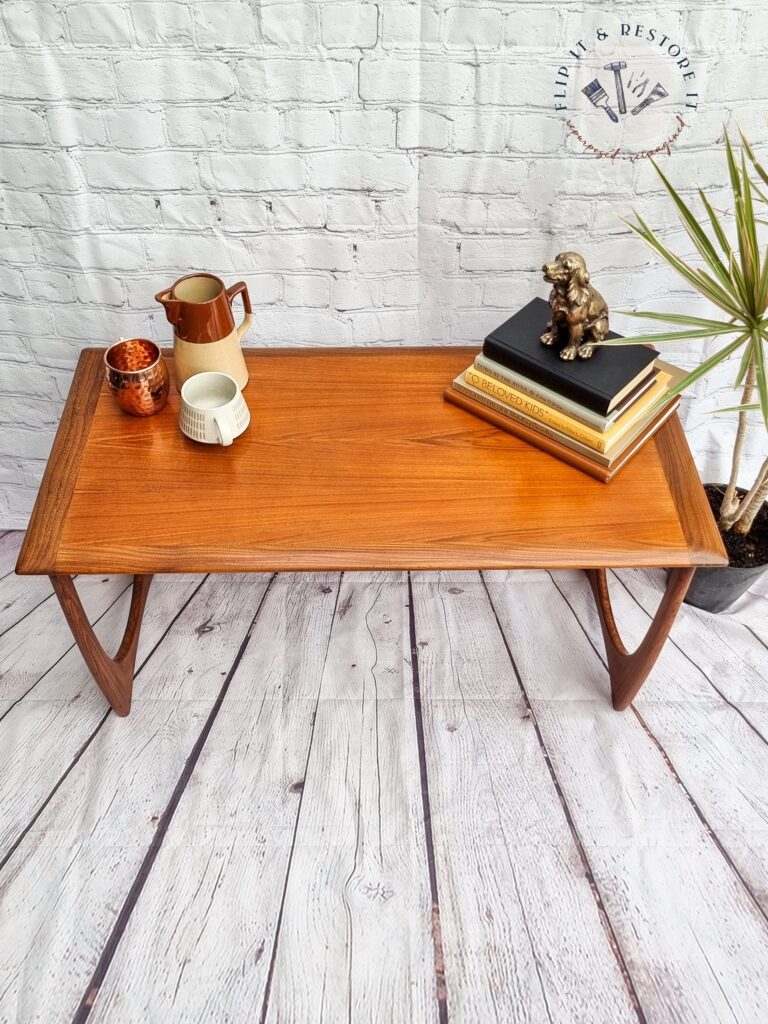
694, 940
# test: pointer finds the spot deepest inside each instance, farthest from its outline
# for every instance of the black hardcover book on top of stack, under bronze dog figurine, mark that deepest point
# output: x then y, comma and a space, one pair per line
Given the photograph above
599, 383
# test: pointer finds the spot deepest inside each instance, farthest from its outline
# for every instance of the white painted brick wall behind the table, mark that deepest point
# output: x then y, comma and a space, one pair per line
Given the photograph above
386, 174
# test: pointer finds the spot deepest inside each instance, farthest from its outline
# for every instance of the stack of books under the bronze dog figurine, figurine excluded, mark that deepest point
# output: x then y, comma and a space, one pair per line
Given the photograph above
594, 414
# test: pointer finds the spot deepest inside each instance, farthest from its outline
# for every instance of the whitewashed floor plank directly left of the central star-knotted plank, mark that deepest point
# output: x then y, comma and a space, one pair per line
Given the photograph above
200, 944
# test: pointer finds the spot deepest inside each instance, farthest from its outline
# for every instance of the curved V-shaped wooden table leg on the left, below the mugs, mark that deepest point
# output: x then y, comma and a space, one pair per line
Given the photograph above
114, 675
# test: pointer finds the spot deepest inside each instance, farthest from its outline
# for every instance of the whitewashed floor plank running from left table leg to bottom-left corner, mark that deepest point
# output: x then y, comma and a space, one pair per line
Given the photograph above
65, 886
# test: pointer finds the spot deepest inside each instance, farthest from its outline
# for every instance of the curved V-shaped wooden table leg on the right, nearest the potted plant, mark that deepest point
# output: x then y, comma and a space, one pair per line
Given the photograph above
629, 671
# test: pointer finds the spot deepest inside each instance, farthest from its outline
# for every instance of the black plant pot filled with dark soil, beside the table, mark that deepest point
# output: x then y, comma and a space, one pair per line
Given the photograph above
717, 589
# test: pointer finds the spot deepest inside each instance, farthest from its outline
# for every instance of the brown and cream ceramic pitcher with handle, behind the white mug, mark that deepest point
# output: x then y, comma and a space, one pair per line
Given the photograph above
205, 337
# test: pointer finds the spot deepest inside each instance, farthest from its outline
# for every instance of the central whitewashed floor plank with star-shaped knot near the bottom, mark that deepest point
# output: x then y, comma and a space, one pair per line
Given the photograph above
358, 911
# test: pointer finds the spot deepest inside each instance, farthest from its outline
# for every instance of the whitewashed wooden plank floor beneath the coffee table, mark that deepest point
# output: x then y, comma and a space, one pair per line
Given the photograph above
382, 798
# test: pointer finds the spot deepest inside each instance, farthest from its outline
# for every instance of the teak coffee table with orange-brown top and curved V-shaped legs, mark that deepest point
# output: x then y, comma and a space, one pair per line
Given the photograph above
353, 461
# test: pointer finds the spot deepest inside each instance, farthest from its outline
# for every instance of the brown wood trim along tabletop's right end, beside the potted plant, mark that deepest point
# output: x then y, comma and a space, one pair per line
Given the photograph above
697, 521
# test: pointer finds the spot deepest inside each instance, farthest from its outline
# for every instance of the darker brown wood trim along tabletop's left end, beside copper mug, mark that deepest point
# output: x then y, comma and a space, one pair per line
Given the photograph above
38, 554
